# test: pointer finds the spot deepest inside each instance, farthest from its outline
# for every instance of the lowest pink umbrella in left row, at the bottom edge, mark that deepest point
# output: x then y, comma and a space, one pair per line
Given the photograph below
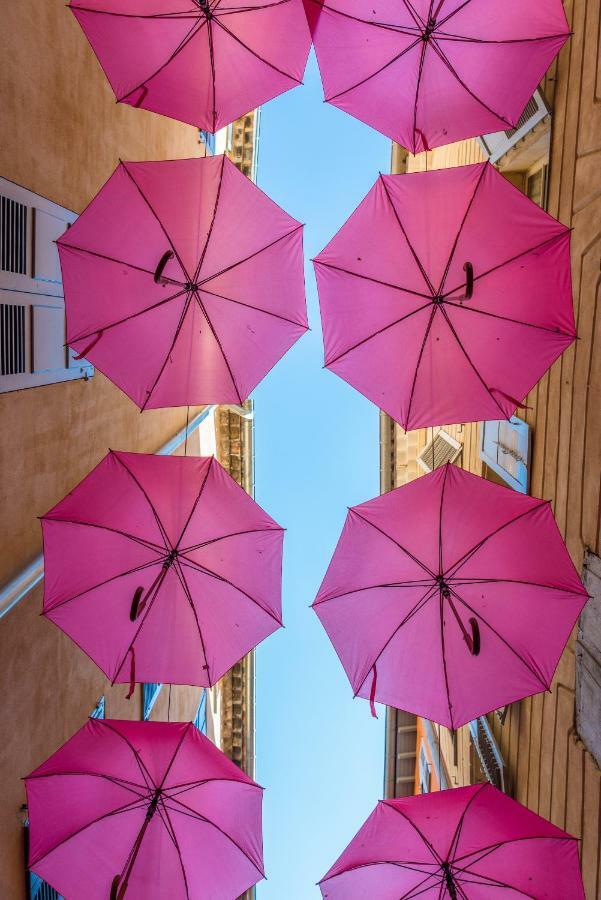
144, 810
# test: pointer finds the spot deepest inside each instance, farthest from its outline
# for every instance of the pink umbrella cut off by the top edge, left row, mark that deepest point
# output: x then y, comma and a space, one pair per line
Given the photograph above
205, 62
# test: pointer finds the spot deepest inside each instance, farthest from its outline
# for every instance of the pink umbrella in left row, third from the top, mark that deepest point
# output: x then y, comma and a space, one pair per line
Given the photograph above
201, 610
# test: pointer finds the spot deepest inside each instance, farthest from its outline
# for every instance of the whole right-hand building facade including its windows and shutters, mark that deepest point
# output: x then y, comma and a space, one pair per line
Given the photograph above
545, 751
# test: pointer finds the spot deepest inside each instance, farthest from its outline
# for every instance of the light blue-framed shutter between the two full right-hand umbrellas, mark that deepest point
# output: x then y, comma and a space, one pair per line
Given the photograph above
505, 448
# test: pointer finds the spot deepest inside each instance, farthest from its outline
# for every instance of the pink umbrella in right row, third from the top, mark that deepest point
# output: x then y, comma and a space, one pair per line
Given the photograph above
450, 596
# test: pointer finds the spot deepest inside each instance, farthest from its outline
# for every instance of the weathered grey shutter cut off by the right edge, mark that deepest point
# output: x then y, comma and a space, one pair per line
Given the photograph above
588, 660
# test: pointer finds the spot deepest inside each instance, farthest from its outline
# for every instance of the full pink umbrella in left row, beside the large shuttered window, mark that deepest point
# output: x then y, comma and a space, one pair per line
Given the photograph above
183, 282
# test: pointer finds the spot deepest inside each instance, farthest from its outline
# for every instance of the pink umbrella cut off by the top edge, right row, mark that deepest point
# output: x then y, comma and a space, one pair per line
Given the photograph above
428, 73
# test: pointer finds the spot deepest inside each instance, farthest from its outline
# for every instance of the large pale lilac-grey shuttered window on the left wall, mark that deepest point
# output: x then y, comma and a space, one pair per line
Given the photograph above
32, 314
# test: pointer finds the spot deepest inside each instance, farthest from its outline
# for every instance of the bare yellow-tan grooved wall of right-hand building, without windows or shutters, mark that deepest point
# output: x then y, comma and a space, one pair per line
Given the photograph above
548, 766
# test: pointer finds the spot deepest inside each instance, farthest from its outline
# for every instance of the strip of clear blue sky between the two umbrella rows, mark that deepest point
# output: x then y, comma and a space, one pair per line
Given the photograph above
319, 753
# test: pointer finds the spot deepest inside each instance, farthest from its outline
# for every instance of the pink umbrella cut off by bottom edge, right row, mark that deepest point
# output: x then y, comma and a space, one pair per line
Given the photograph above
472, 843
